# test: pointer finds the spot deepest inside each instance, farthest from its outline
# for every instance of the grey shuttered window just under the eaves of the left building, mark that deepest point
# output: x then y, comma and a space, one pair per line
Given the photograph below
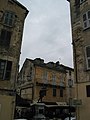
9, 18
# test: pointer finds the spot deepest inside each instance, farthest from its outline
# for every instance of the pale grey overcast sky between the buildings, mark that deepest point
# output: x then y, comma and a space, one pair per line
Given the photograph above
47, 31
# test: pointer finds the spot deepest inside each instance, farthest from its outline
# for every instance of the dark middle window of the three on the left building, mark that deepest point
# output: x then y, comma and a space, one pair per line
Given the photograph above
5, 37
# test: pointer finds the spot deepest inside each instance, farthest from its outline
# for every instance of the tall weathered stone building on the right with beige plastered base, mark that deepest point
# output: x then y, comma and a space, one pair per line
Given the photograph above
80, 20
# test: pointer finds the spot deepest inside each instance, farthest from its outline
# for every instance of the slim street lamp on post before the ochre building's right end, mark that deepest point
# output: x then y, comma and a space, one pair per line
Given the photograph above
70, 84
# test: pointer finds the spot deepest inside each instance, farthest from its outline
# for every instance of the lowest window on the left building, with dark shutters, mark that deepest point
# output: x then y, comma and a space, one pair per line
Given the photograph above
5, 69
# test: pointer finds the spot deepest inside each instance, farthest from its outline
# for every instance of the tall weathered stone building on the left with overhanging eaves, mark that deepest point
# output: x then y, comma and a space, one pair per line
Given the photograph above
12, 16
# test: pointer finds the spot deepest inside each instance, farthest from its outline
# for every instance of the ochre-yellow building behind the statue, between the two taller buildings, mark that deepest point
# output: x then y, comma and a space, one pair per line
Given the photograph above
35, 76
